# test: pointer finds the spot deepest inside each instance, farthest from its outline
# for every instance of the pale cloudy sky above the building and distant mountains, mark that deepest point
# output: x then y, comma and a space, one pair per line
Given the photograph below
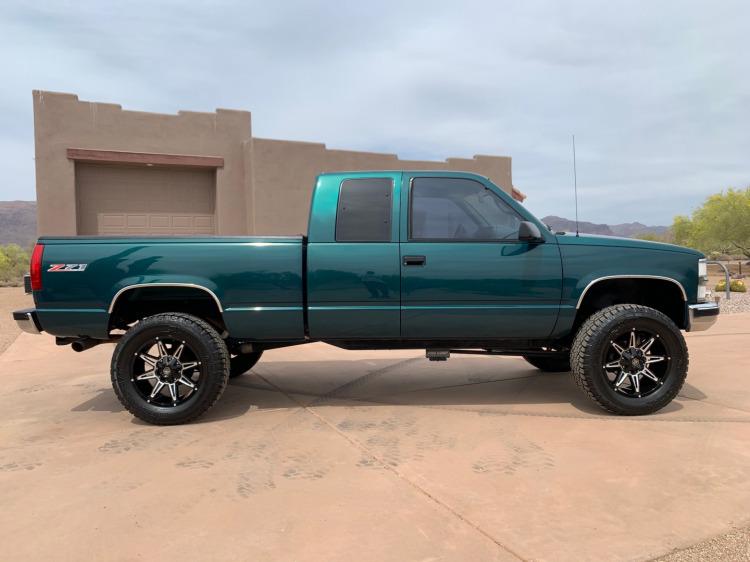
656, 93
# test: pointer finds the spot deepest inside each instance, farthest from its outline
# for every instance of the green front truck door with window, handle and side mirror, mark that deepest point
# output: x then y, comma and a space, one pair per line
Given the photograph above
464, 272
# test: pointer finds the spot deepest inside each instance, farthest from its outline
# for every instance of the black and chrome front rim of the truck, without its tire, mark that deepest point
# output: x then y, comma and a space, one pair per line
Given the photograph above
636, 362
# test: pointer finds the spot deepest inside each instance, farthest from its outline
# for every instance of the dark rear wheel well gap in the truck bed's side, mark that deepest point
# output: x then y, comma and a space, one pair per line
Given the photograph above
140, 302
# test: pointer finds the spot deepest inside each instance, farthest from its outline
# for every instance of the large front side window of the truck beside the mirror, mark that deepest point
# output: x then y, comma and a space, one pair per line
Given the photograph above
459, 209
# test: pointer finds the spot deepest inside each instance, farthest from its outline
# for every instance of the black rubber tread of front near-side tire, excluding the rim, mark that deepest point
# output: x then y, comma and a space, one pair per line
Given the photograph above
592, 340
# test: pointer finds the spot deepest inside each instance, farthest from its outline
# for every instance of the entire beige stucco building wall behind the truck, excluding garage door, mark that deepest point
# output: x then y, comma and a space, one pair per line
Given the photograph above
264, 186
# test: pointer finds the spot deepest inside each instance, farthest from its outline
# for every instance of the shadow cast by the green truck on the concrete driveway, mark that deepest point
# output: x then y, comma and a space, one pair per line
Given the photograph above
509, 387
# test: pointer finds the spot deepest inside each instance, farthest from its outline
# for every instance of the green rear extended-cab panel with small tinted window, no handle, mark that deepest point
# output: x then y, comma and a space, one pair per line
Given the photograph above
353, 272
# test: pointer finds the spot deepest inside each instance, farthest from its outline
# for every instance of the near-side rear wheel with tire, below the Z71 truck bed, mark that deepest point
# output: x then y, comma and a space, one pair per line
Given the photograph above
170, 368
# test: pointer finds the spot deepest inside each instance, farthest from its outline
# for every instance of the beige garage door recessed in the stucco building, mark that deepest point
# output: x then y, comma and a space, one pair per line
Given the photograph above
140, 200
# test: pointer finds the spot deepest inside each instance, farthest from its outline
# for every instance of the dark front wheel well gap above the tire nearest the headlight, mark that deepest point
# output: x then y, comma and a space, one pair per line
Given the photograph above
660, 294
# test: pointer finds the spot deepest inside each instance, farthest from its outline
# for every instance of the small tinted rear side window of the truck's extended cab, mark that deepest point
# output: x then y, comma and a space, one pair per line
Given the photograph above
364, 211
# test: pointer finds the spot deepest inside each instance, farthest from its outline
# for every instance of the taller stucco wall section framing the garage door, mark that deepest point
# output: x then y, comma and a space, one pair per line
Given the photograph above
61, 121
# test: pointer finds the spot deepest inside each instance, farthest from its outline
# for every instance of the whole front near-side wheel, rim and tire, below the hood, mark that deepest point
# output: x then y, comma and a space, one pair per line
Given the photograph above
630, 359
